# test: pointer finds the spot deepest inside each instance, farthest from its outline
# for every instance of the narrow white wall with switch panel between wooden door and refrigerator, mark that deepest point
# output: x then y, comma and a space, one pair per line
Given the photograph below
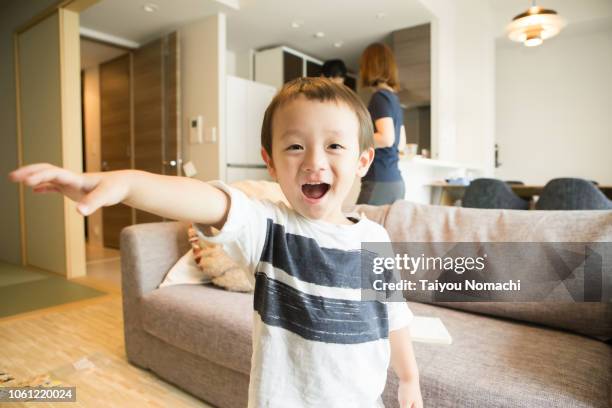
203, 72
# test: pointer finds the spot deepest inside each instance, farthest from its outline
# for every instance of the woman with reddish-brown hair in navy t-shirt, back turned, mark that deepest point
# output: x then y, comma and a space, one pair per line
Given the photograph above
383, 184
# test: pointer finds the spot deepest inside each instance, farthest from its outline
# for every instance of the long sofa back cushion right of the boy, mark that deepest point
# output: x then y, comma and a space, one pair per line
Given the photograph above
411, 222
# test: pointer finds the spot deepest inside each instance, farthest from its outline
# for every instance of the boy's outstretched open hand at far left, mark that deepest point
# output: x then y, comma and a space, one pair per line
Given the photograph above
90, 190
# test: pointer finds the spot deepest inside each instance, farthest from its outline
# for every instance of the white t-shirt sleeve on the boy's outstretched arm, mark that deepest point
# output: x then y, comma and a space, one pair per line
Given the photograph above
244, 232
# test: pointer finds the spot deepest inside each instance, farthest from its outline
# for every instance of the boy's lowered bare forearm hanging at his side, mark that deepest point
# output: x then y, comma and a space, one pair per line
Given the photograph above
404, 365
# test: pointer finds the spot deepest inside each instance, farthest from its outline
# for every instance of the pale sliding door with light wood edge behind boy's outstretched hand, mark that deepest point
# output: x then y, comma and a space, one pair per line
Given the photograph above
49, 130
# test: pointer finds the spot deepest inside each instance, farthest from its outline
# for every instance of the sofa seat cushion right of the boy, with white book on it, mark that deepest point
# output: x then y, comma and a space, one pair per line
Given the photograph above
498, 363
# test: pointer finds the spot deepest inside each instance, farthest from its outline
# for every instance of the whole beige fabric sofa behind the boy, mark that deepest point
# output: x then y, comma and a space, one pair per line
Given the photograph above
503, 354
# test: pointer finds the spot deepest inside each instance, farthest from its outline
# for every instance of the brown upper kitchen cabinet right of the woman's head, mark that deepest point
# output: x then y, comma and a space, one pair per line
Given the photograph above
412, 49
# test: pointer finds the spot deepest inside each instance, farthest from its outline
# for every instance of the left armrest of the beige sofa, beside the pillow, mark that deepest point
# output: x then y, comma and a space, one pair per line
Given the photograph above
148, 251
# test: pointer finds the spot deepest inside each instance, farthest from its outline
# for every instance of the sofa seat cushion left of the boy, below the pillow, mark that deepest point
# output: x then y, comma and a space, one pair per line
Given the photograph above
204, 320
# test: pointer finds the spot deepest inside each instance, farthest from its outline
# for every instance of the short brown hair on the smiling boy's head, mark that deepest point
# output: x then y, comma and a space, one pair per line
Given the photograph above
322, 90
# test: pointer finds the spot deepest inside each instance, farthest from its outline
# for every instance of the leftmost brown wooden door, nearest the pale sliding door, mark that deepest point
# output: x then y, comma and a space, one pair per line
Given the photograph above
115, 146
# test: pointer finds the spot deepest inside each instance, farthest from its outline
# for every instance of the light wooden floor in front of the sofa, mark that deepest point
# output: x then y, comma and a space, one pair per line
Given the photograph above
50, 341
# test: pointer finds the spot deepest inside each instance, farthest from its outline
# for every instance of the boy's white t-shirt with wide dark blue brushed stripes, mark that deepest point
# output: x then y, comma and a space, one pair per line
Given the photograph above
315, 343
